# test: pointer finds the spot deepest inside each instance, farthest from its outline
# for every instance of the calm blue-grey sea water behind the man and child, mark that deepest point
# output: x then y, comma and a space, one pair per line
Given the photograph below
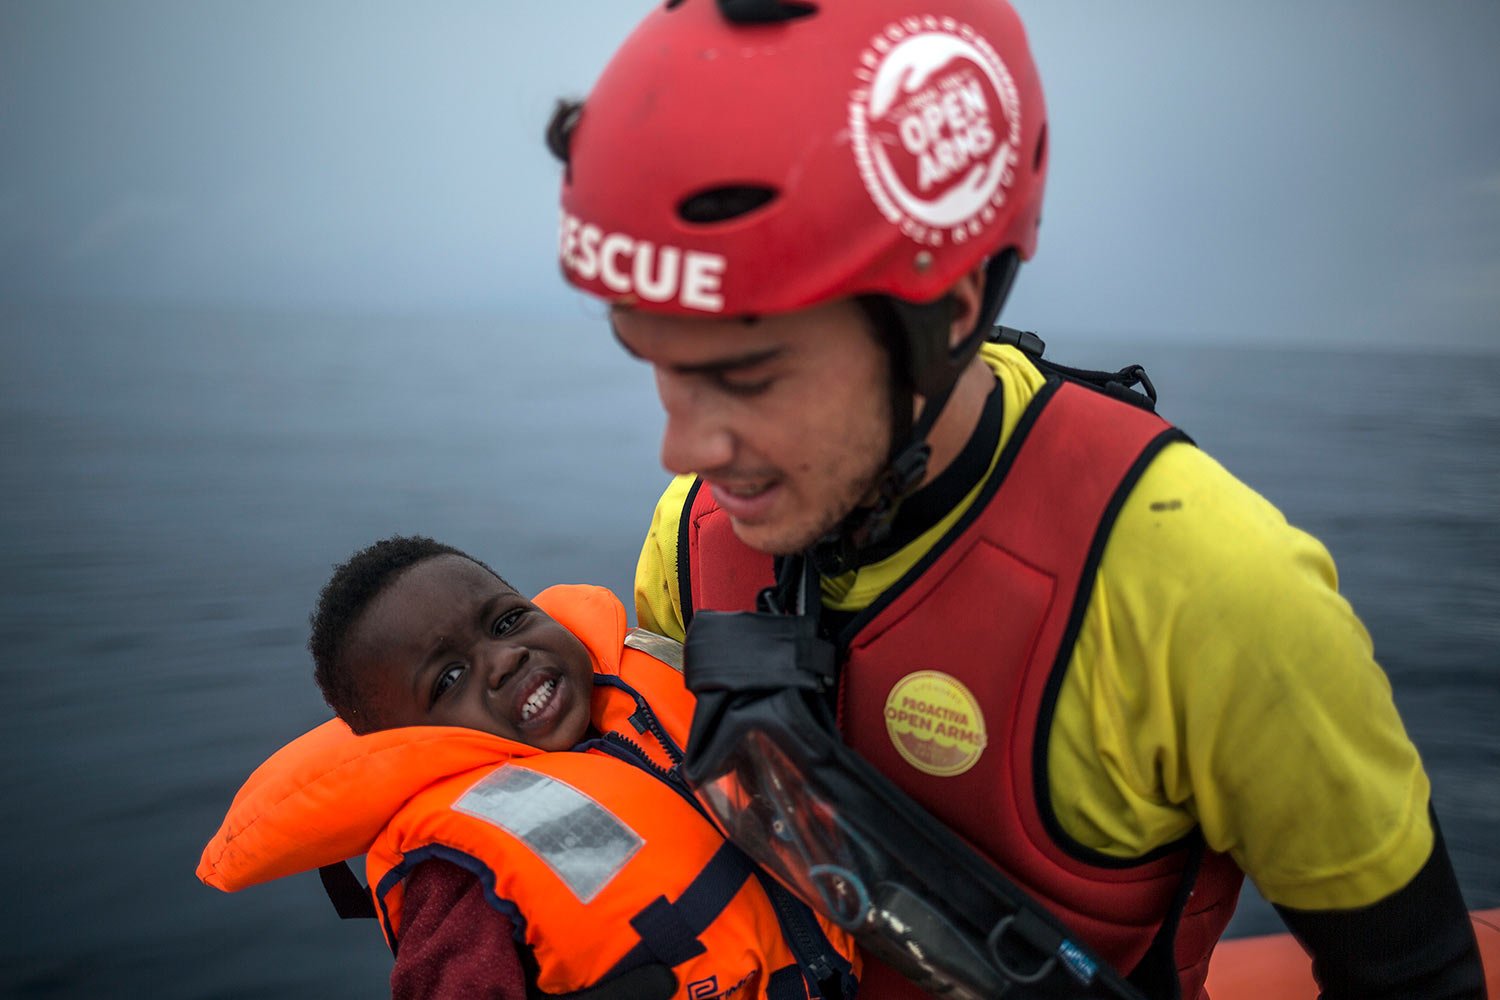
176, 487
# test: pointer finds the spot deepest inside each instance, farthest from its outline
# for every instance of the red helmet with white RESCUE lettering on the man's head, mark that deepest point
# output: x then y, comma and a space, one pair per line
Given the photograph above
760, 157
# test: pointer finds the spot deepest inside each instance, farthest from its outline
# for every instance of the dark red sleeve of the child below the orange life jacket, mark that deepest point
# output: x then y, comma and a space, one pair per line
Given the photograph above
454, 944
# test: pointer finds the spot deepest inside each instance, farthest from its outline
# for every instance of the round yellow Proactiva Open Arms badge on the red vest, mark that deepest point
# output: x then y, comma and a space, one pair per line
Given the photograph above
935, 723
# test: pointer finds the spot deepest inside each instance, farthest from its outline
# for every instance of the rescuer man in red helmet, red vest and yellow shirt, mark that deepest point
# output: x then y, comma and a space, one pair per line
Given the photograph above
1066, 632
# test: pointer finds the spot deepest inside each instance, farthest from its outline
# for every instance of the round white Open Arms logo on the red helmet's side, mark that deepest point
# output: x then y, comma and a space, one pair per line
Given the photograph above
935, 127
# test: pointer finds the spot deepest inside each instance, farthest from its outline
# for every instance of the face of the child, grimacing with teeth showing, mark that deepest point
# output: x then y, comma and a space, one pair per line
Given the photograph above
448, 644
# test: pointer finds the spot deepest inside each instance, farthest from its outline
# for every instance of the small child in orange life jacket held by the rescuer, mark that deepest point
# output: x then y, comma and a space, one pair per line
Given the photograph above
509, 770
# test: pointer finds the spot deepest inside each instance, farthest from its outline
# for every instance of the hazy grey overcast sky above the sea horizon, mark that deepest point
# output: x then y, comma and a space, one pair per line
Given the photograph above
1298, 169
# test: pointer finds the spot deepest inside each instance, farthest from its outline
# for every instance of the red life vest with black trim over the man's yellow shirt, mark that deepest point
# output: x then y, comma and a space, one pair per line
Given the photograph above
995, 608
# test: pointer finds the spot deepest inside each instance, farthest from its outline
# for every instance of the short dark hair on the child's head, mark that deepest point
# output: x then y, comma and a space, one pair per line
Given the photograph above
355, 584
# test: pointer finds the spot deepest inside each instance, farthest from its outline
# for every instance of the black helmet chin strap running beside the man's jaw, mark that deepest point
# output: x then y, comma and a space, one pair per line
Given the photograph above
932, 371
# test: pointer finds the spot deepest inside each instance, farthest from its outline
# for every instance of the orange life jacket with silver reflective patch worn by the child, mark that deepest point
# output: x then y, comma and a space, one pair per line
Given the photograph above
601, 858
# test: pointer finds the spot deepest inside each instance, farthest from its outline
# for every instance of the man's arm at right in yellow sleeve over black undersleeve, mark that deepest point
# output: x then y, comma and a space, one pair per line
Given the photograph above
1231, 684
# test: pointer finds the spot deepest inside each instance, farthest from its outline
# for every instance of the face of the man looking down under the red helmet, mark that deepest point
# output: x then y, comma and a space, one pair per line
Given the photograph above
787, 418
